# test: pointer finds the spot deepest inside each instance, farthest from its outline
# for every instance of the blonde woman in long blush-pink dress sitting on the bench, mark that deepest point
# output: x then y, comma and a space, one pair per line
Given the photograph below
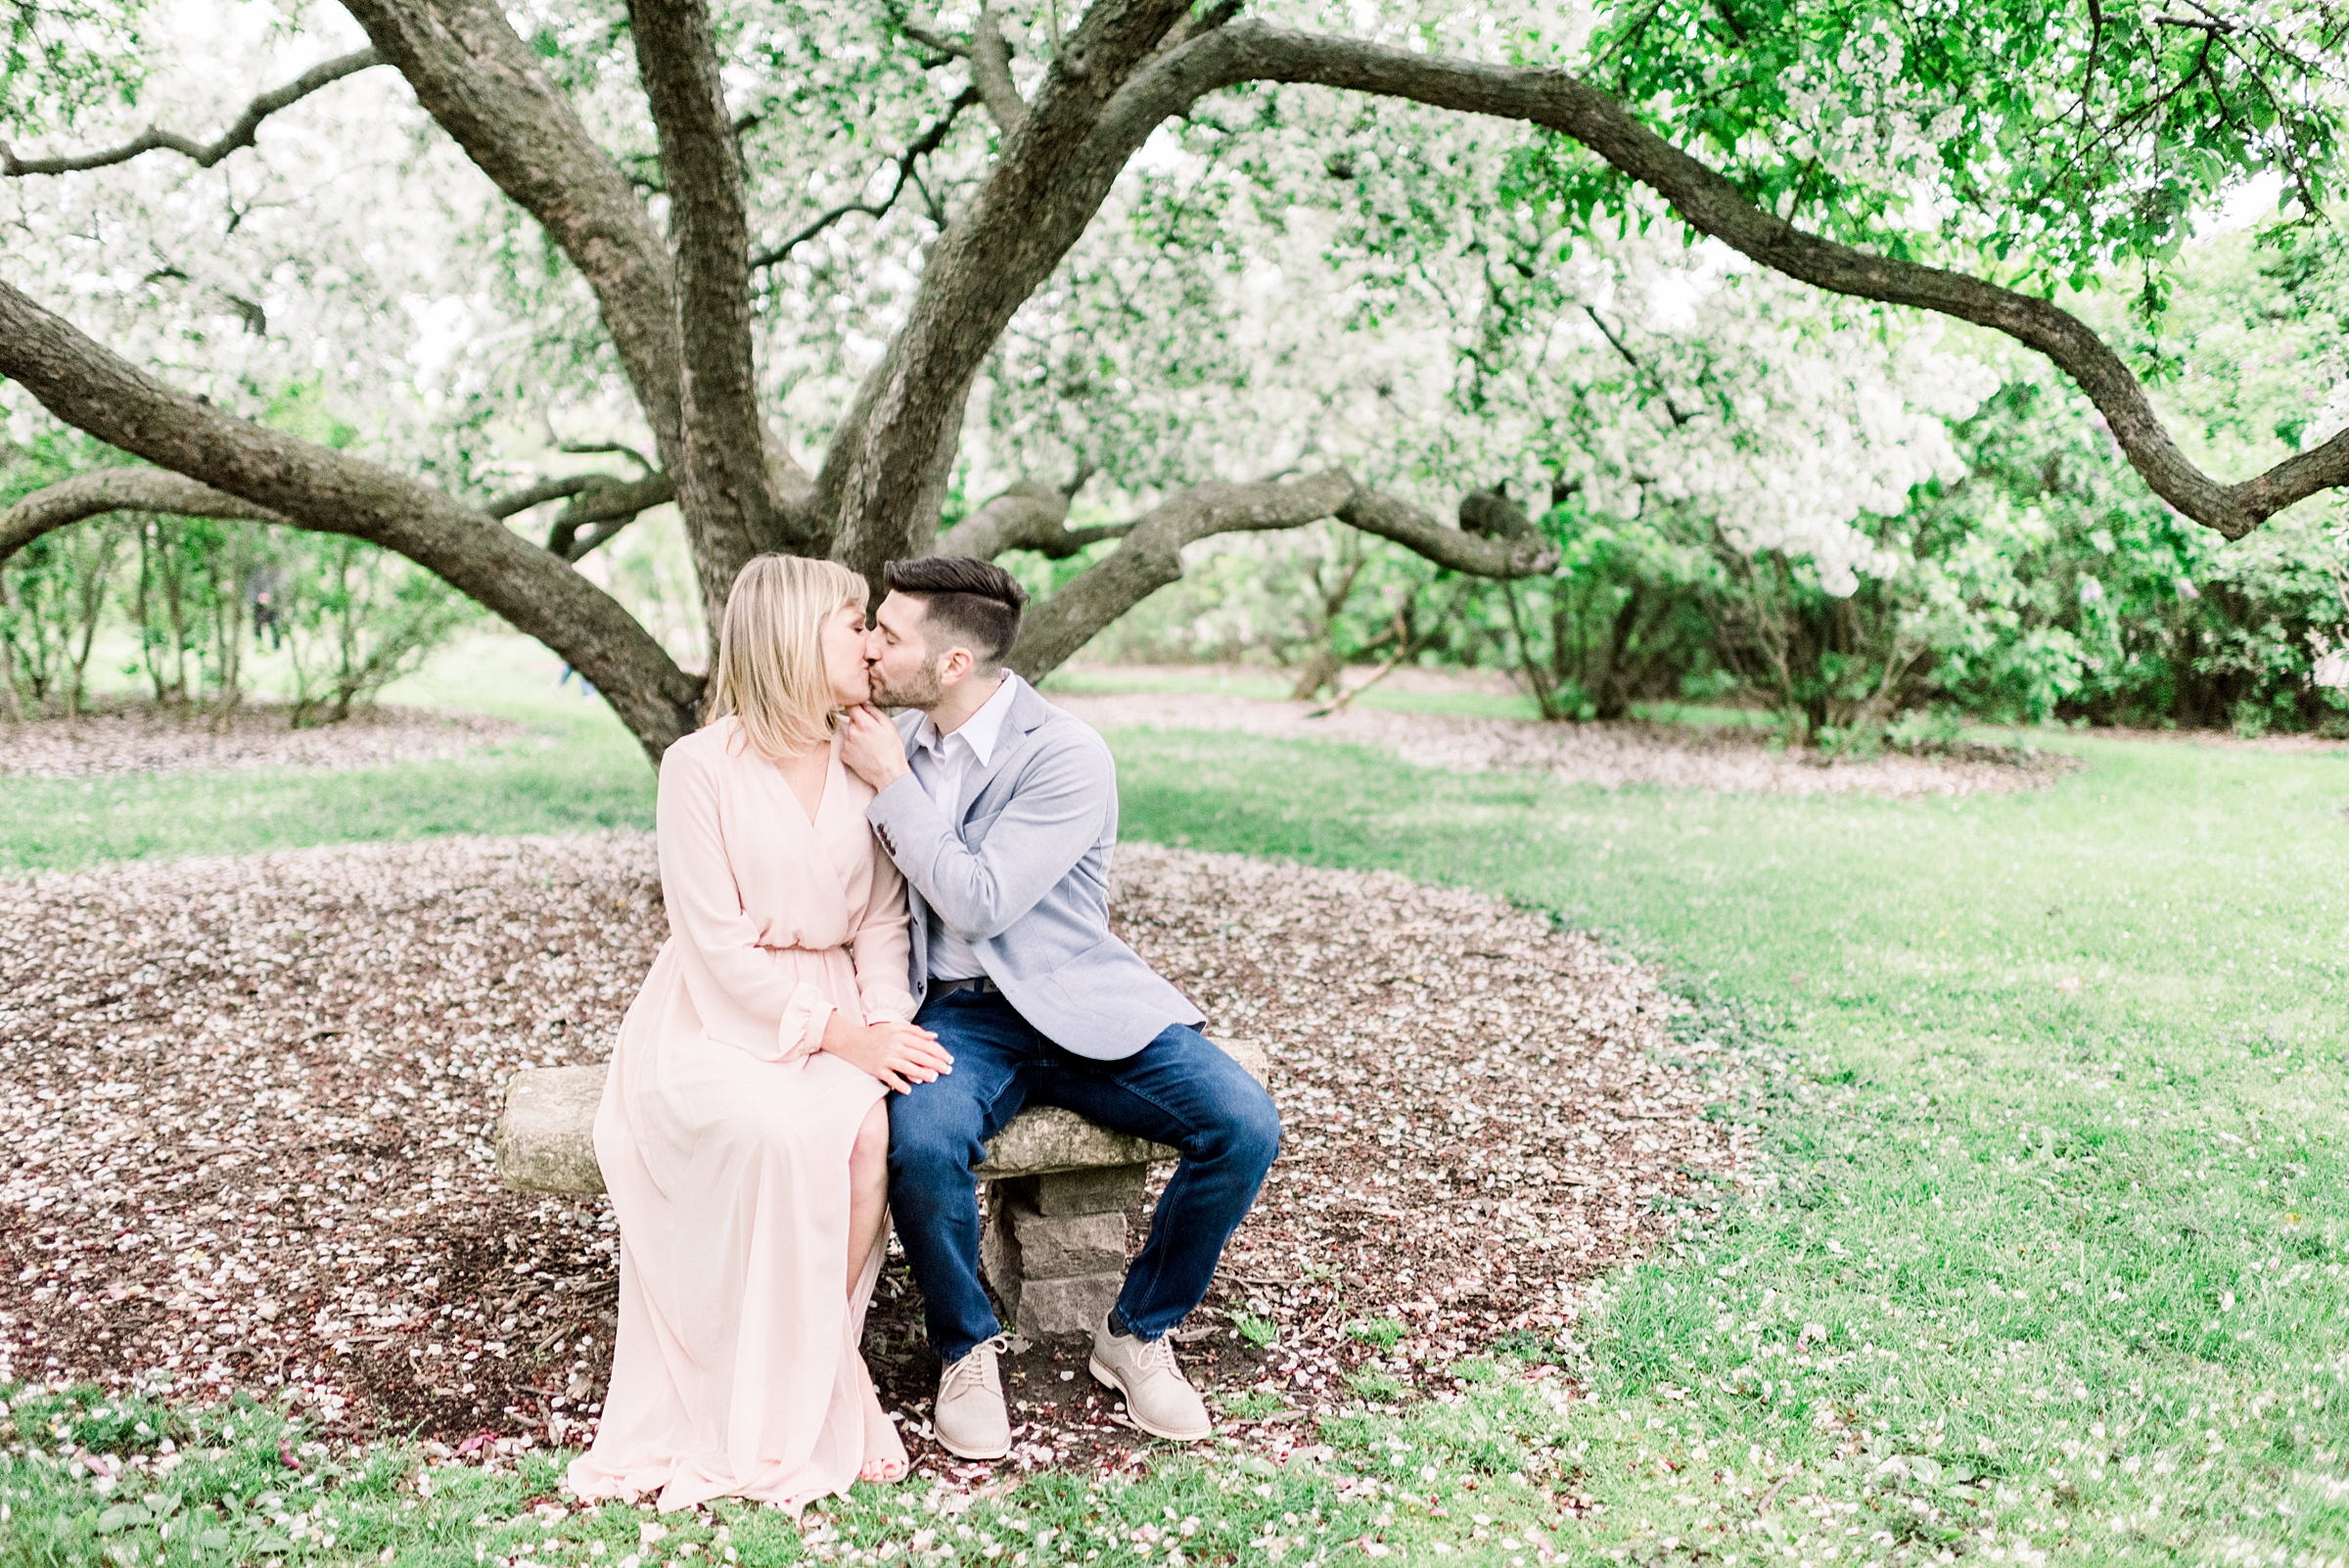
743, 1130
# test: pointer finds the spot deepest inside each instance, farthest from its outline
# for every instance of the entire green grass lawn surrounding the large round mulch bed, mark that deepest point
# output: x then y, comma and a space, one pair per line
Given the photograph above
2045, 1259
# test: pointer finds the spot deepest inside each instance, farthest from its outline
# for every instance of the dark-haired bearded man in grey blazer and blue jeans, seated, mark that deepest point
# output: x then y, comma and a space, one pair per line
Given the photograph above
1004, 820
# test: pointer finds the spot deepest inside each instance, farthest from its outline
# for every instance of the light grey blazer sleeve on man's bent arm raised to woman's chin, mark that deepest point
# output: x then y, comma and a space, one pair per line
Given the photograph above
1054, 818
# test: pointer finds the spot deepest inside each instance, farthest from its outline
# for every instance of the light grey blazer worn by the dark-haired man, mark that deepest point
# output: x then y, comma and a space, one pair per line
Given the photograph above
1025, 881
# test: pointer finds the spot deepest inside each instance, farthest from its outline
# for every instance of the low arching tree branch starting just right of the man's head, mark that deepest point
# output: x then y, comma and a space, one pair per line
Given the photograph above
1152, 553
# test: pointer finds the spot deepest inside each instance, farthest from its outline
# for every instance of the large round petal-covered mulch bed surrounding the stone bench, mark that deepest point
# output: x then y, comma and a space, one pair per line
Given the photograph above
248, 1109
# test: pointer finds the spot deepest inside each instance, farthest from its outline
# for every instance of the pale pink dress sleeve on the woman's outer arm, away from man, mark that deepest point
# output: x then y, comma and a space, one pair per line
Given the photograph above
706, 912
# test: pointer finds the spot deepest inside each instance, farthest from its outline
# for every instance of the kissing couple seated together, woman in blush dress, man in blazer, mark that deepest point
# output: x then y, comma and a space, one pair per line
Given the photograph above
884, 942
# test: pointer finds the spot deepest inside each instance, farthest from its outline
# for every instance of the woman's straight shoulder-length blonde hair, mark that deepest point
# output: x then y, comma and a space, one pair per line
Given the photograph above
772, 654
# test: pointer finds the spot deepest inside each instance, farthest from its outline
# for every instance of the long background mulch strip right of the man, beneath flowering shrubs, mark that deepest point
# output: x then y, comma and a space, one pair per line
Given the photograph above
1613, 755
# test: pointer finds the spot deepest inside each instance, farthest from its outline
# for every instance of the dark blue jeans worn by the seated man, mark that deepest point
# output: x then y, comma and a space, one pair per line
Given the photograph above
1178, 1090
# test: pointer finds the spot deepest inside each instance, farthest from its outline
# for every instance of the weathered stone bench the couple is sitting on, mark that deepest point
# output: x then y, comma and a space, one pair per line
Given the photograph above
1058, 1191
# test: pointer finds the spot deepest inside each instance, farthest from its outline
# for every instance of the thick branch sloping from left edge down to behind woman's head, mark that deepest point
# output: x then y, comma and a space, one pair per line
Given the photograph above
328, 492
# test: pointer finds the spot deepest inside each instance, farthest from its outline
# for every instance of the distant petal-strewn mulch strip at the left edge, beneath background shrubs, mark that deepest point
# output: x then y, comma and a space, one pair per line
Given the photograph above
147, 738
